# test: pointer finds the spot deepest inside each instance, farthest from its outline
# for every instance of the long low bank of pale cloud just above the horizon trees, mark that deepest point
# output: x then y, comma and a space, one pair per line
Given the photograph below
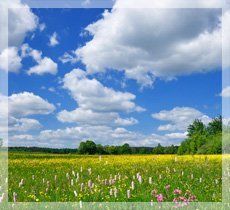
105, 135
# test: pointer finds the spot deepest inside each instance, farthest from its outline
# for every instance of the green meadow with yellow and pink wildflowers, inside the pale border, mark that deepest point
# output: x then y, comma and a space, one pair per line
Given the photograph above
48, 177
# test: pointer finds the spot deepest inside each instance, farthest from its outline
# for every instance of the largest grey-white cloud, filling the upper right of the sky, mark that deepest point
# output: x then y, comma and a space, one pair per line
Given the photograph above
147, 43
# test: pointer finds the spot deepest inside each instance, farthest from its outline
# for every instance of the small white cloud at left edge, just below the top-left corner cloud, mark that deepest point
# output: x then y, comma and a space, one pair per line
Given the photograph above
10, 60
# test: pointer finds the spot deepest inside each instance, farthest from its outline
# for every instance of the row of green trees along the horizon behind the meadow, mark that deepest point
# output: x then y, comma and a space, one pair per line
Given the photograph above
201, 139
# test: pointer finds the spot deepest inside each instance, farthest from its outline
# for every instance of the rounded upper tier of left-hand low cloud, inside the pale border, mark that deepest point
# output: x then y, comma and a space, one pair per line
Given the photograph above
25, 104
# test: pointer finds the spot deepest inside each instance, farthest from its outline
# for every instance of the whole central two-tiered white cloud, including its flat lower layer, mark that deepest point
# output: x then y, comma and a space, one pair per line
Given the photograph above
97, 104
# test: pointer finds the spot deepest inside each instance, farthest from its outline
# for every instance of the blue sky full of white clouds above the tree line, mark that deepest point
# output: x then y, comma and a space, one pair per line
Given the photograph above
114, 76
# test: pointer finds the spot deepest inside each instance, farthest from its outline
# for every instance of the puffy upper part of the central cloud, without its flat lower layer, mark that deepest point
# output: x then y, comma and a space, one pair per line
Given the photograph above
91, 94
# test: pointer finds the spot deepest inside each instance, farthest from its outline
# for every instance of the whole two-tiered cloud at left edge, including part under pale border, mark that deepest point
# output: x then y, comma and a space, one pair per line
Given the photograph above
18, 106
